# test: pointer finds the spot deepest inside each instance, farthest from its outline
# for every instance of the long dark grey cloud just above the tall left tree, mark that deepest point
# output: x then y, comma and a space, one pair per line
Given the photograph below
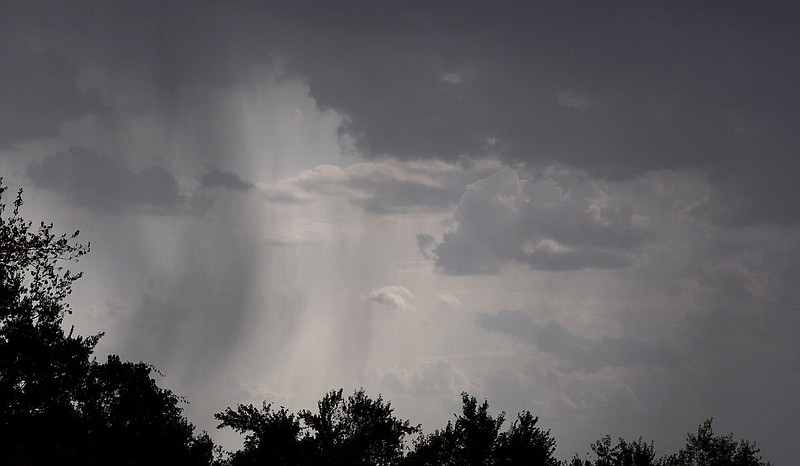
105, 183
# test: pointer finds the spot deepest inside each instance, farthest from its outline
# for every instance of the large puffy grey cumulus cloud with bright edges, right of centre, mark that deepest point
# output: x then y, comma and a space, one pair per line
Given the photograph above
556, 220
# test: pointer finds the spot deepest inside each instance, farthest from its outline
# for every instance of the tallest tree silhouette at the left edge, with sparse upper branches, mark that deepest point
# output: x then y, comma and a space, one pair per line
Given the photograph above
42, 369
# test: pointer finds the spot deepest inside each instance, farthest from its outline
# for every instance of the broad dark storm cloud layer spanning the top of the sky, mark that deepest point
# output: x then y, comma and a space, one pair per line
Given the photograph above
613, 89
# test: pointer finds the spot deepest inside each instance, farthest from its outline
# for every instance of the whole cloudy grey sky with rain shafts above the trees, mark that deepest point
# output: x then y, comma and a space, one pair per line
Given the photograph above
588, 210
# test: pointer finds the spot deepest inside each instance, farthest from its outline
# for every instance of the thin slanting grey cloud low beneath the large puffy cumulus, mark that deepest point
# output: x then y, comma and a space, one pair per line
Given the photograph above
581, 352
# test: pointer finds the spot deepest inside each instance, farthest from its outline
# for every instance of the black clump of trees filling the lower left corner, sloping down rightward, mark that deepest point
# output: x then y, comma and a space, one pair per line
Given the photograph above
57, 405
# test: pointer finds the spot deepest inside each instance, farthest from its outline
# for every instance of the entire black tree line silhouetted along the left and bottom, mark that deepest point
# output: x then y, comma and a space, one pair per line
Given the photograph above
60, 405
